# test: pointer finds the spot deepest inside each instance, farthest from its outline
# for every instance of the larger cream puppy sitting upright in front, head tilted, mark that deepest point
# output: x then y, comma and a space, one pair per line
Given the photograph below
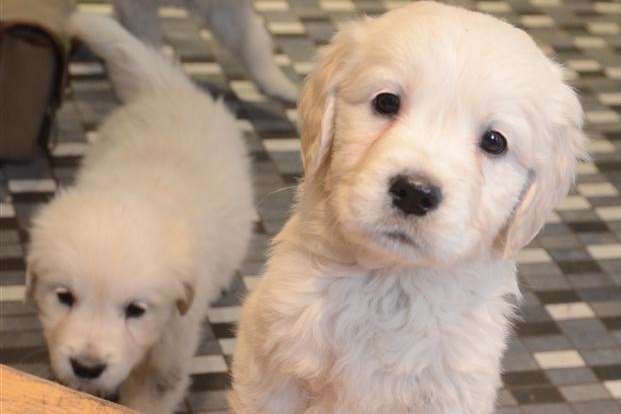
435, 141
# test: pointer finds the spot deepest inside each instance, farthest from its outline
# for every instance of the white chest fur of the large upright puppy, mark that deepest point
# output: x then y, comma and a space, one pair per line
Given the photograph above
406, 339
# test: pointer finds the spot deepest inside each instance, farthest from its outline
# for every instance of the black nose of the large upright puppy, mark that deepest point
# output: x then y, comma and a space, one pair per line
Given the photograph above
411, 198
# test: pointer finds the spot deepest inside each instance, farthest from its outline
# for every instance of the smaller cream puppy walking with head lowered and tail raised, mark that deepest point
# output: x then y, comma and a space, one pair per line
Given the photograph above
122, 264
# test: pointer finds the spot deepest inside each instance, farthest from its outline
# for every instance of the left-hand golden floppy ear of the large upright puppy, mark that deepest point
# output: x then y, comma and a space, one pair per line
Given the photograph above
317, 99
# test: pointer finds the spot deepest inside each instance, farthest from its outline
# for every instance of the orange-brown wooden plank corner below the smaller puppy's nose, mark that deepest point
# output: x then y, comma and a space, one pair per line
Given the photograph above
22, 393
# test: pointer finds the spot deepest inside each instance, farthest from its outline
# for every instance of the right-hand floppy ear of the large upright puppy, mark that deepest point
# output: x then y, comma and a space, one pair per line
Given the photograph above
552, 172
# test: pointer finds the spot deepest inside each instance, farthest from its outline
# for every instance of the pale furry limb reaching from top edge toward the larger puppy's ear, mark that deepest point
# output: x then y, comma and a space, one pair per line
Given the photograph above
236, 25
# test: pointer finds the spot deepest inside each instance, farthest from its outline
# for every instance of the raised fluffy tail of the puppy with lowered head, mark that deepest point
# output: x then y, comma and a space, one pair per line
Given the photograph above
134, 68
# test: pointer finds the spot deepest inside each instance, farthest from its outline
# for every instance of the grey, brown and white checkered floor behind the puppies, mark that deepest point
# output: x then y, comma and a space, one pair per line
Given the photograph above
566, 354
